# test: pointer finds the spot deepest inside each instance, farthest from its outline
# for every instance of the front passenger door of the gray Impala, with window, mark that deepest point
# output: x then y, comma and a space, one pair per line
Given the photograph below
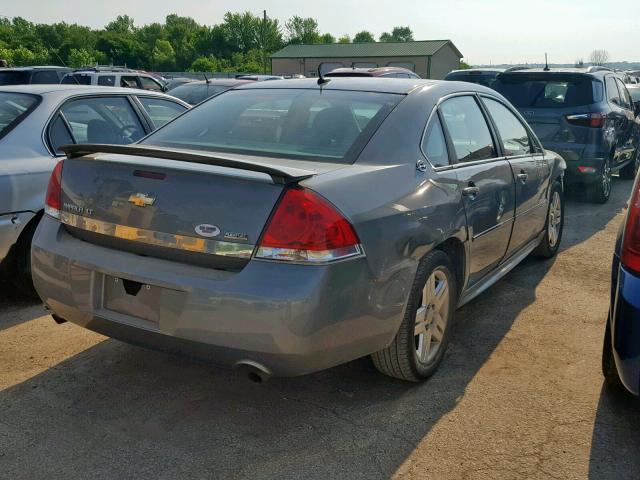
529, 169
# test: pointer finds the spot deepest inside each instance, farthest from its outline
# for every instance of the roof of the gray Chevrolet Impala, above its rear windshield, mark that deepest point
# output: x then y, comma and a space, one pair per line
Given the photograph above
362, 84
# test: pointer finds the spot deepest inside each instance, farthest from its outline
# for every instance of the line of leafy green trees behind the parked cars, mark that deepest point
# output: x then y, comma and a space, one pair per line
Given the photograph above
240, 43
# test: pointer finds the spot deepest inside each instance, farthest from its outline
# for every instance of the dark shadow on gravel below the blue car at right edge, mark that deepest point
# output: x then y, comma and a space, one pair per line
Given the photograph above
615, 444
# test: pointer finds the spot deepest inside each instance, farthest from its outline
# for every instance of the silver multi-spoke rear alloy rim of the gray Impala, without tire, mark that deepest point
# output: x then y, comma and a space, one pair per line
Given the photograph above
432, 317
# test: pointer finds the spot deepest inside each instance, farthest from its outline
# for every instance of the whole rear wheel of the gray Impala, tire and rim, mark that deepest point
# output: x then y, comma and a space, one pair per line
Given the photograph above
419, 346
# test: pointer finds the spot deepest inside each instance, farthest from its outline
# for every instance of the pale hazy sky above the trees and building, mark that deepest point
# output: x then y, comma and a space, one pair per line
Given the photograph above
485, 31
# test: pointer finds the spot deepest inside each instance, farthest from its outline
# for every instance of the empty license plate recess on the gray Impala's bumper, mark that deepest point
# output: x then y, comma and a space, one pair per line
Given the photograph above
131, 298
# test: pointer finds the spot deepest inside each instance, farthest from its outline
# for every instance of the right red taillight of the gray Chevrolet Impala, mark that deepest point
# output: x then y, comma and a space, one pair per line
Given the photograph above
307, 228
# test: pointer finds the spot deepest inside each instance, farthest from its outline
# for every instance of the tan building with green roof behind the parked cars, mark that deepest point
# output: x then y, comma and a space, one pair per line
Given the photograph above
428, 58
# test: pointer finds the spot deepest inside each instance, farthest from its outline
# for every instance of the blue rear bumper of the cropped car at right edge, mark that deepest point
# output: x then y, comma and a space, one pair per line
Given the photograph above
625, 323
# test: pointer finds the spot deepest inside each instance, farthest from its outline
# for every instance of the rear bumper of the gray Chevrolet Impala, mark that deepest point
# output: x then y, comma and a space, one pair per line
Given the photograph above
293, 319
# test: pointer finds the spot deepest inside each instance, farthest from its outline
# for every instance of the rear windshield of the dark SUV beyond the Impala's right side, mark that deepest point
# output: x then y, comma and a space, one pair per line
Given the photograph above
548, 90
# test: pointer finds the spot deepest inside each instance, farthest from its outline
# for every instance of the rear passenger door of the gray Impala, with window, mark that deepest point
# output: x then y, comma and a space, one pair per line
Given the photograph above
486, 180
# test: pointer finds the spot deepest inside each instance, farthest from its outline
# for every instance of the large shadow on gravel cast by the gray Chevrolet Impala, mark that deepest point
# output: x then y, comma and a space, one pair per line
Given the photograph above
119, 411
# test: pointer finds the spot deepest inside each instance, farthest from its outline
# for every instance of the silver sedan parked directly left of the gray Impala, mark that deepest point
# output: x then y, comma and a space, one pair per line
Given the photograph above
35, 122
